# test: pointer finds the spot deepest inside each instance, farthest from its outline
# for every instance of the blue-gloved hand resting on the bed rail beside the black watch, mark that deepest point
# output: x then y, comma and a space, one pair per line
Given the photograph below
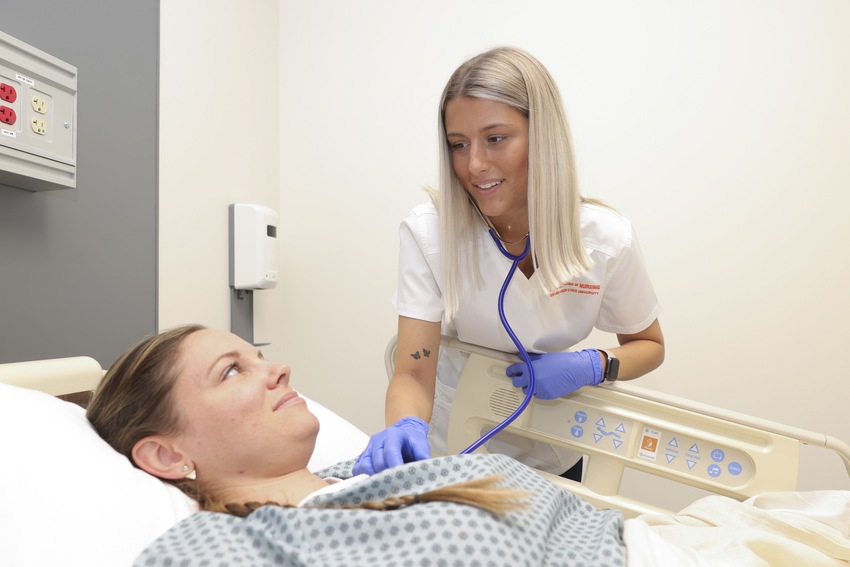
557, 374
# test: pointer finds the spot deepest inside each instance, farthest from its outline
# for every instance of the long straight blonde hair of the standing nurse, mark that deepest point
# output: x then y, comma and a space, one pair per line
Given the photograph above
513, 77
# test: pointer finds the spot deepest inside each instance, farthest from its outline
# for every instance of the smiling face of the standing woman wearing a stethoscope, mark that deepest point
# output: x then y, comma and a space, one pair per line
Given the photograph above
489, 147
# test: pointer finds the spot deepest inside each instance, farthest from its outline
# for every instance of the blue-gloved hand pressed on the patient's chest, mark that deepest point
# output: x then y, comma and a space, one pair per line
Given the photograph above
402, 442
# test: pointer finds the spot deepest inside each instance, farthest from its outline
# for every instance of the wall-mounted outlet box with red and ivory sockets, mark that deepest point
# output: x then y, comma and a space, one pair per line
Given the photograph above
38, 111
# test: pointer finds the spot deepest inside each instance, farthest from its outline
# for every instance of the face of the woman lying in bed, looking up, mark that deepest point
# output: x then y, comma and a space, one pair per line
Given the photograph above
239, 416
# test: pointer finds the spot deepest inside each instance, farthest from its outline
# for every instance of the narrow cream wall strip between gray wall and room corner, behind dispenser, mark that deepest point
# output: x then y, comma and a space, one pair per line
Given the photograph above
218, 144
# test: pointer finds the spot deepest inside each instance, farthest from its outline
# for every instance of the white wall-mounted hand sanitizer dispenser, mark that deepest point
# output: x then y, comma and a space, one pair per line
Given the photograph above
254, 248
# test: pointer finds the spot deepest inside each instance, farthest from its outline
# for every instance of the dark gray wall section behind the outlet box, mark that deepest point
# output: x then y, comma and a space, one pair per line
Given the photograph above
78, 266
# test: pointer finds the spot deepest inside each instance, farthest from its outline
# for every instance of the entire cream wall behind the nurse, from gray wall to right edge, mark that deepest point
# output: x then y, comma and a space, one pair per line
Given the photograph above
720, 129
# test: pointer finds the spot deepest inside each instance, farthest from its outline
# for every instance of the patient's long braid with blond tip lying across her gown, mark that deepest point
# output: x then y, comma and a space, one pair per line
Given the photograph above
483, 493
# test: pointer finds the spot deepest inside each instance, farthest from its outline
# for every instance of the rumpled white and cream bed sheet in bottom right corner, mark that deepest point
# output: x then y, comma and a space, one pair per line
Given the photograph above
773, 529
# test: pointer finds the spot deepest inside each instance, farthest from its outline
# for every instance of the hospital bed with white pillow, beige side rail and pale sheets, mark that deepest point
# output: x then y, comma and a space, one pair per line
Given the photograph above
69, 499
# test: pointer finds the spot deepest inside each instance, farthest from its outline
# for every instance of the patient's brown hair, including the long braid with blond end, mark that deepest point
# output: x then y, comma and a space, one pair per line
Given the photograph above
134, 400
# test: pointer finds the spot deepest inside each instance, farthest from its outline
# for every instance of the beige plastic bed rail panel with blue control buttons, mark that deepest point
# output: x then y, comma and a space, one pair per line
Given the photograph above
623, 427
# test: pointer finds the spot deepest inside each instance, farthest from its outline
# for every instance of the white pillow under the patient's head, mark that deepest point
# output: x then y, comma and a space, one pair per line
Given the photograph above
69, 499
